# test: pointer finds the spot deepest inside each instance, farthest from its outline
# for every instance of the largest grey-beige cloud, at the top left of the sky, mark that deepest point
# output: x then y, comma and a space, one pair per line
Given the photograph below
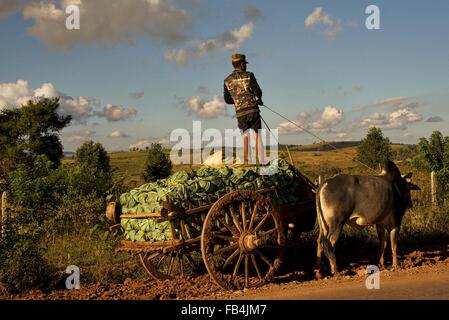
107, 22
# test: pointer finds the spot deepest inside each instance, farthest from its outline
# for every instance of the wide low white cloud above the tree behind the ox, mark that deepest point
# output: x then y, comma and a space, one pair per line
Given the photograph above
398, 119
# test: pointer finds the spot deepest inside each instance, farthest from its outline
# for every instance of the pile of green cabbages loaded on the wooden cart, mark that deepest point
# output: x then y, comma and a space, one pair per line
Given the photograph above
201, 186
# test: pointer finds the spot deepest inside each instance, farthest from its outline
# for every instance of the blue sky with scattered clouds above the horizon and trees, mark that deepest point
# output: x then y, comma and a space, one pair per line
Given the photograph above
137, 69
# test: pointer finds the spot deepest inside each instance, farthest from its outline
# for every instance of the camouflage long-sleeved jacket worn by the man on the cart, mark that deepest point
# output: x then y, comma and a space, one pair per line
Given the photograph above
242, 90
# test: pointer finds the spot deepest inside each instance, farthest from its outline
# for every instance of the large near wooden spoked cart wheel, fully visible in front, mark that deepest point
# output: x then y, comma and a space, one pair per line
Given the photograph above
242, 241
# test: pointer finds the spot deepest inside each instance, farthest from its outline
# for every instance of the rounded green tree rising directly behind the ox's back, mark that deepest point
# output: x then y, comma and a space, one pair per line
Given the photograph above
374, 149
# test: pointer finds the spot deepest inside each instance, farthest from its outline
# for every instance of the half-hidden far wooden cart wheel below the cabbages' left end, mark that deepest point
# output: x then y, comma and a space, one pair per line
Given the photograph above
162, 266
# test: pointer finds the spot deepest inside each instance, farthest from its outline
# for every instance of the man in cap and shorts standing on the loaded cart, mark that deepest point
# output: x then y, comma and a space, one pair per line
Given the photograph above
242, 90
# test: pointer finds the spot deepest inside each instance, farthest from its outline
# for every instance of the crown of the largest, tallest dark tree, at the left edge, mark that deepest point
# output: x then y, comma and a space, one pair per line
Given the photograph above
32, 130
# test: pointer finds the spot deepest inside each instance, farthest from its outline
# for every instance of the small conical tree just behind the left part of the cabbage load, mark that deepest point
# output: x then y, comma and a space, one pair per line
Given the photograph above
157, 164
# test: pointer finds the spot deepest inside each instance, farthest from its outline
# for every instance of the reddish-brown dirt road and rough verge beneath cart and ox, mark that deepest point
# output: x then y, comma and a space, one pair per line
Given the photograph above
424, 275
